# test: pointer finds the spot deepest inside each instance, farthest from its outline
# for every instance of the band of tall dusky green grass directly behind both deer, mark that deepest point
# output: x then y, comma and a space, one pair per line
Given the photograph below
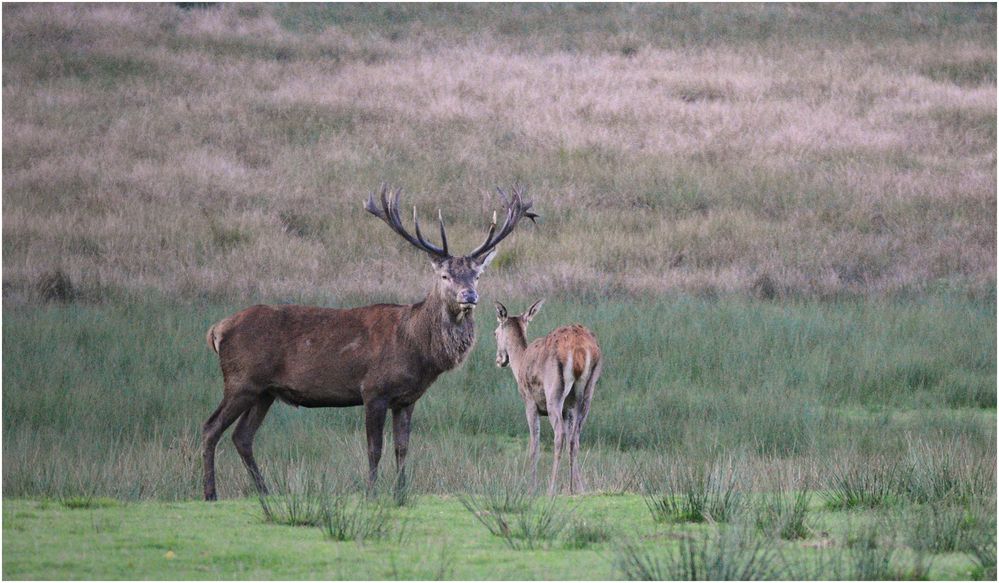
114, 407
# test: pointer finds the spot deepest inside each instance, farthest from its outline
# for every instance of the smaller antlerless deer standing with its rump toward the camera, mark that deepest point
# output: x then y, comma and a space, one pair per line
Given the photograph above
555, 376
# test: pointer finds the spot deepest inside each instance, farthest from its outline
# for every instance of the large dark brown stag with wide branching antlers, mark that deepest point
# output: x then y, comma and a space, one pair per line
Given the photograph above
382, 356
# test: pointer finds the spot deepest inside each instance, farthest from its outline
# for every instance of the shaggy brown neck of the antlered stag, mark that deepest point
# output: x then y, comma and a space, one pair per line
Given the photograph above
447, 337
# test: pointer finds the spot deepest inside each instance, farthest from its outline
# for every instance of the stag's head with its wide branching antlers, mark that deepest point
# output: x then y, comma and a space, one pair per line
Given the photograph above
455, 277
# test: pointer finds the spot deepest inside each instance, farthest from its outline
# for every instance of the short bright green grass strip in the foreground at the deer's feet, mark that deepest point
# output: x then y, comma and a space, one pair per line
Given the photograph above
430, 538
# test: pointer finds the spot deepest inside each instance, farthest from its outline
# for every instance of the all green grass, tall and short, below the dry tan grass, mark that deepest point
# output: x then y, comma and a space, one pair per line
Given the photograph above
883, 412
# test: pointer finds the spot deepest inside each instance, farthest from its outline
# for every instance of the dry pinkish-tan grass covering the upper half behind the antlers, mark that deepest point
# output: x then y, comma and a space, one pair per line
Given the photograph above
224, 152
